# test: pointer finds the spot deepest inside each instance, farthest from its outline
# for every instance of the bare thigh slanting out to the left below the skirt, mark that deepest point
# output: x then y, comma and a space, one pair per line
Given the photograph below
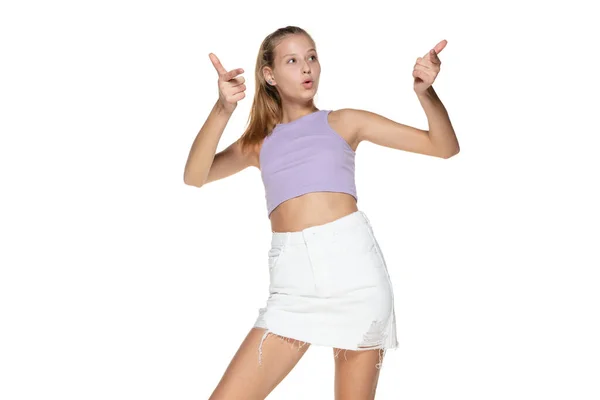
244, 378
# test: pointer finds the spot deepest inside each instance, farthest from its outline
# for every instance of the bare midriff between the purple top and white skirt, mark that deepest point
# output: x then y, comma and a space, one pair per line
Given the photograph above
311, 209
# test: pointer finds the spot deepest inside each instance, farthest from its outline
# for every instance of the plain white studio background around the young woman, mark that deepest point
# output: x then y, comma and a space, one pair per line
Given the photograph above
118, 281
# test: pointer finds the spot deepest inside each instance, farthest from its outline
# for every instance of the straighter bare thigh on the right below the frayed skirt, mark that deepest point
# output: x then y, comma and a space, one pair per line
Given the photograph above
357, 373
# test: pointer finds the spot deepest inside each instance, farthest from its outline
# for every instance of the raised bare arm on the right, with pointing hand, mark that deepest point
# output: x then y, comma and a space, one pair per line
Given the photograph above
439, 141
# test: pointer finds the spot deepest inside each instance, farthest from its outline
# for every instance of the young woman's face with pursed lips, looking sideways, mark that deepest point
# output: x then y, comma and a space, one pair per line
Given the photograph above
295, 61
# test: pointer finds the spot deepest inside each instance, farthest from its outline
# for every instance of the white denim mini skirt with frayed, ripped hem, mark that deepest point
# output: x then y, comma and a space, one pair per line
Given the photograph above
330, 286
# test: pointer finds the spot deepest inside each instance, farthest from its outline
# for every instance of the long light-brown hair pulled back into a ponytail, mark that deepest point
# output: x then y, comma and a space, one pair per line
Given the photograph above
266, 111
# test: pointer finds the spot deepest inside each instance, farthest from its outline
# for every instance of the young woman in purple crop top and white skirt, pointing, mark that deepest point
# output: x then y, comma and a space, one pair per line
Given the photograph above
329, 283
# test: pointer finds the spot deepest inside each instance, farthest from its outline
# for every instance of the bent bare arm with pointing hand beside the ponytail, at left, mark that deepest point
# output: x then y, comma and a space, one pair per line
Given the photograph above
203, 165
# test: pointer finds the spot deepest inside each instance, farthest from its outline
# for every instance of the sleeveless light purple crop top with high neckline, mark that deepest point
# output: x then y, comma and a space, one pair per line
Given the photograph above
305, 155
